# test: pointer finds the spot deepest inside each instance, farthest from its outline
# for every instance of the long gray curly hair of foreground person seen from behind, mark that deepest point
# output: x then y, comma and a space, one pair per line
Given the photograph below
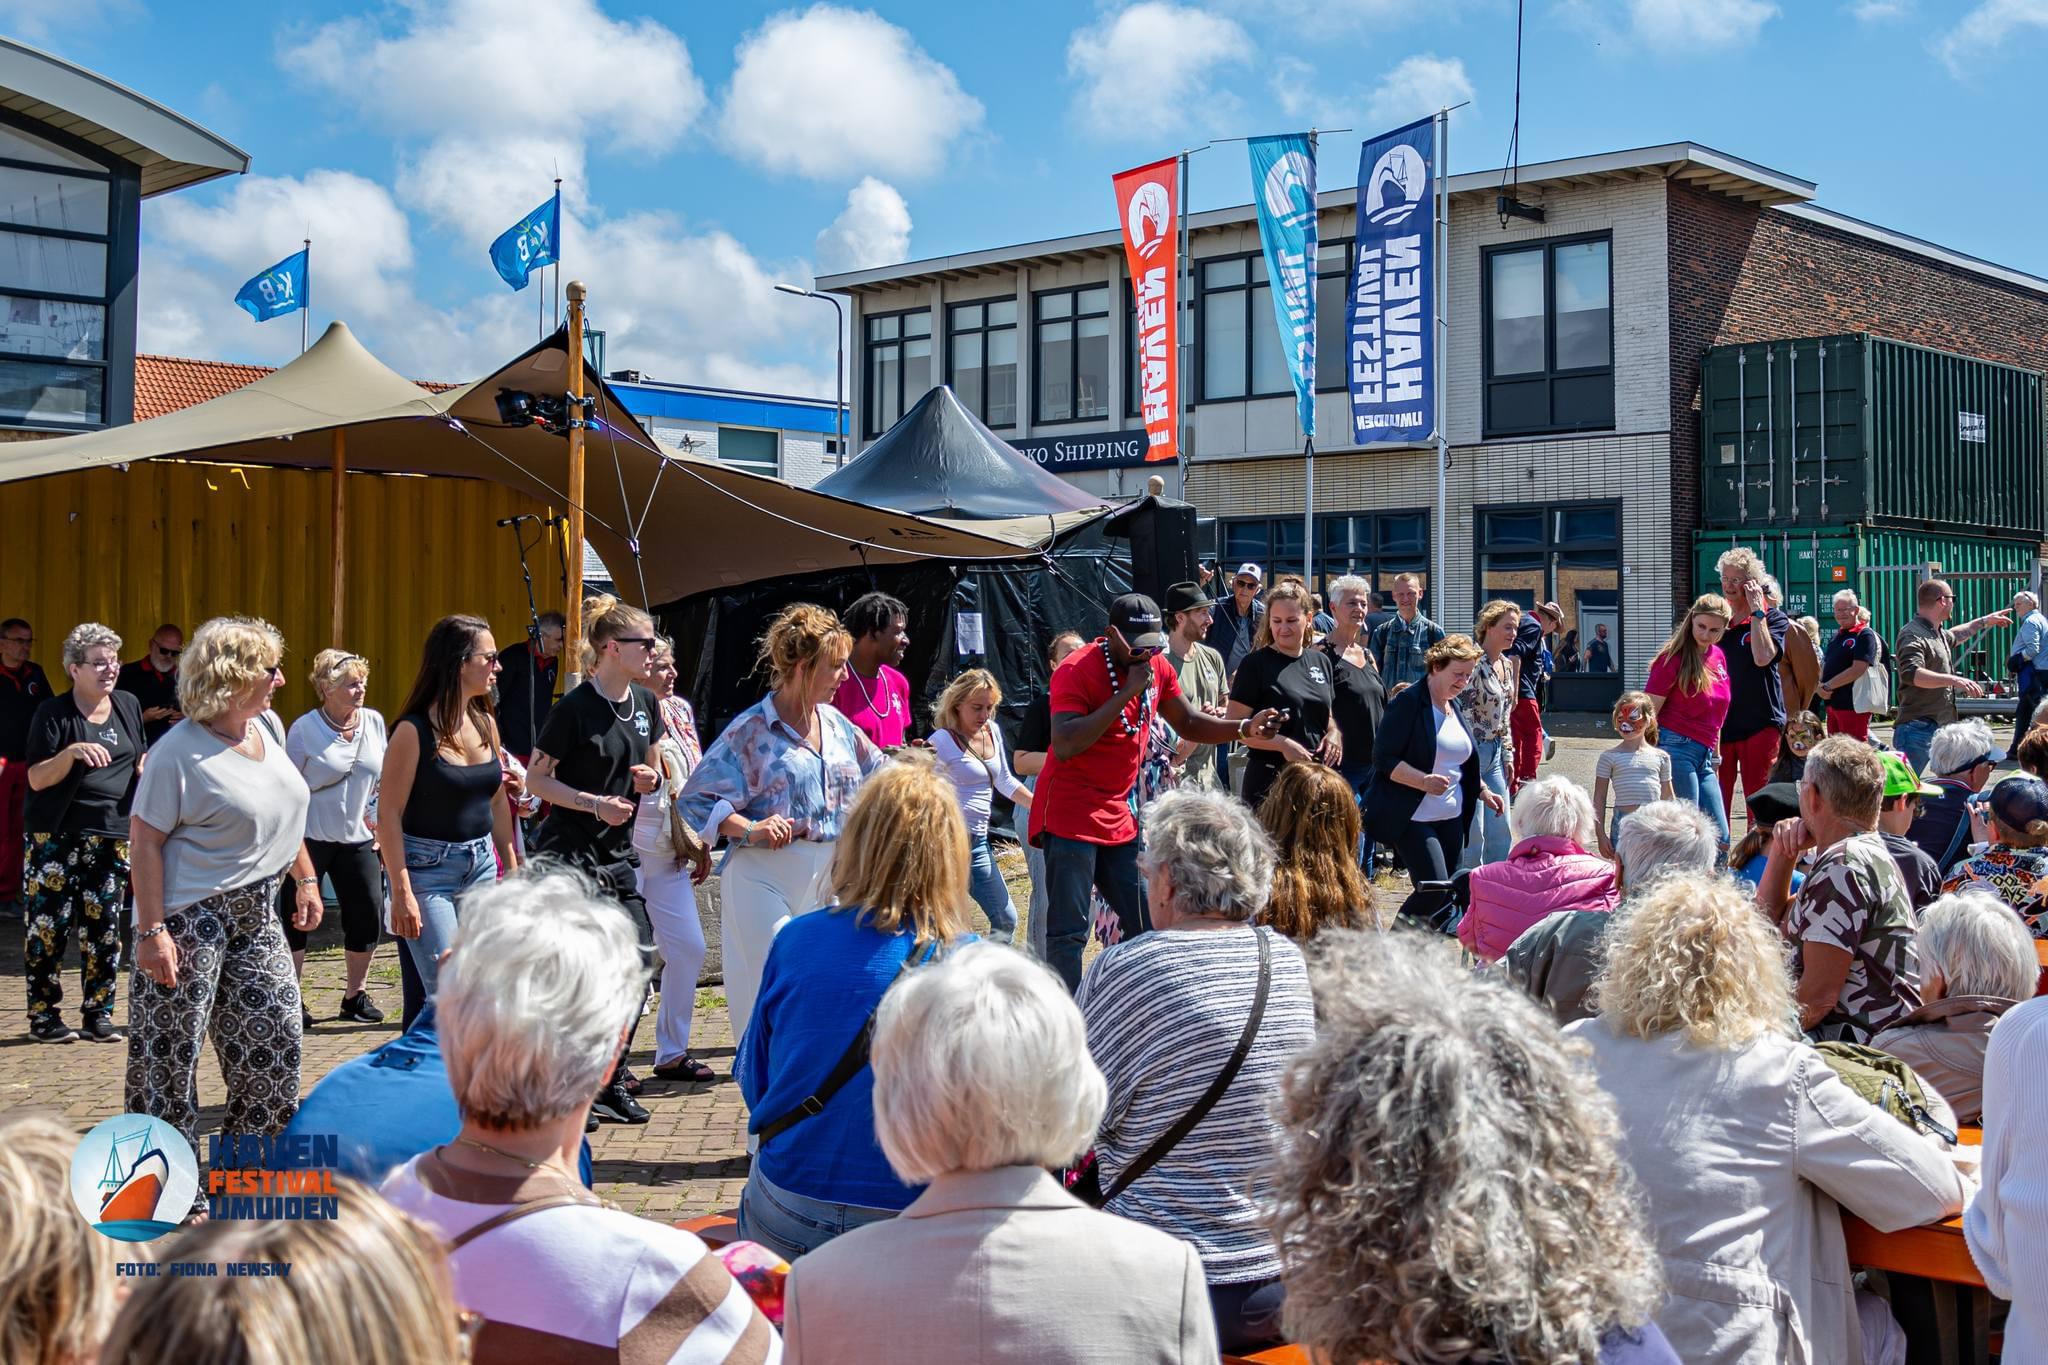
1449, 1184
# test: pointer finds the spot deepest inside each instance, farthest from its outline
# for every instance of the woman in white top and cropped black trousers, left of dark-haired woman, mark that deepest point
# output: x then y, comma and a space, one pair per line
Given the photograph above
339, 750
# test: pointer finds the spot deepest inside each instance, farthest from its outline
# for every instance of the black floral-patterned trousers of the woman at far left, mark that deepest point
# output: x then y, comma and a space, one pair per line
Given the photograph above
73, 881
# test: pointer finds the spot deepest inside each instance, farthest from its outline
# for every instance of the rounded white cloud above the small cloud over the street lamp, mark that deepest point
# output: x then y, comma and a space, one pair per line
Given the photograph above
833, 93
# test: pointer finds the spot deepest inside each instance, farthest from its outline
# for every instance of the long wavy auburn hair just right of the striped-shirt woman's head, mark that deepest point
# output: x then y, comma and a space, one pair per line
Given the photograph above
1314, 820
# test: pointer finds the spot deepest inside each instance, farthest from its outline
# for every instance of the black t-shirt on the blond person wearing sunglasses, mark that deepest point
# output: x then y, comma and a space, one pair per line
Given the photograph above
595, 746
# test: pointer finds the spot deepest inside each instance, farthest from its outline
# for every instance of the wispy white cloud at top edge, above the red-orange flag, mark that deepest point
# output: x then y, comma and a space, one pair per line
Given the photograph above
1150, 71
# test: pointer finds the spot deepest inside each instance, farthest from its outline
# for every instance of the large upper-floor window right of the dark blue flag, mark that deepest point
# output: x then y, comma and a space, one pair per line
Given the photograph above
1549, 337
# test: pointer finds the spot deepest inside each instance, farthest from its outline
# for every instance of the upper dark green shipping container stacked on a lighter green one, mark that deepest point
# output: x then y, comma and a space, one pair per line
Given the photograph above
1863, 431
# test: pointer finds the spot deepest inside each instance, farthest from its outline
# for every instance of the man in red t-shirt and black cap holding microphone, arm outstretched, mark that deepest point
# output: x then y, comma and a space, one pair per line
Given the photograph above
1105, 699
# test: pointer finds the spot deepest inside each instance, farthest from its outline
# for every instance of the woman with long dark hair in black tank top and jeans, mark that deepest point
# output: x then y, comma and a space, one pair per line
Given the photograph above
443, 813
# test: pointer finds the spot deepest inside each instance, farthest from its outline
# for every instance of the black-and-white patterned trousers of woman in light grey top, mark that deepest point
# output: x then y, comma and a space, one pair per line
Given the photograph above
234, 983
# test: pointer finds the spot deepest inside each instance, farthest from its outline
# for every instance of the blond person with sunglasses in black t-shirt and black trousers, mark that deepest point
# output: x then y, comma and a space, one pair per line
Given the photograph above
597, 756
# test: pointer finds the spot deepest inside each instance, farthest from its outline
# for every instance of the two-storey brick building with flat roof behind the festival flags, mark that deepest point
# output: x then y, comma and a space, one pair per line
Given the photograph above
1572, 373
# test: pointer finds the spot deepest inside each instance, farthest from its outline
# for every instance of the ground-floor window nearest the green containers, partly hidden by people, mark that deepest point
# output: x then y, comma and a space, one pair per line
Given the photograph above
1566, 554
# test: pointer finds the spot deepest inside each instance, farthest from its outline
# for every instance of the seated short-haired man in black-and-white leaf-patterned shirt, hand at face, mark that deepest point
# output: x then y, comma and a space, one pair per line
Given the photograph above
1852, 922
